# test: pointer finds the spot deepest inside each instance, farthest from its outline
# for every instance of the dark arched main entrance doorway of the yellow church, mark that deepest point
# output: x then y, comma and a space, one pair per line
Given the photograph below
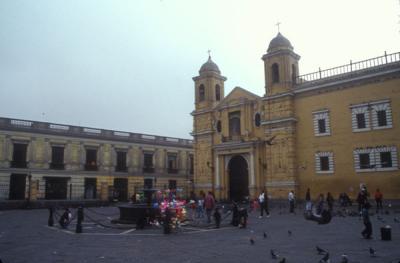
238, 178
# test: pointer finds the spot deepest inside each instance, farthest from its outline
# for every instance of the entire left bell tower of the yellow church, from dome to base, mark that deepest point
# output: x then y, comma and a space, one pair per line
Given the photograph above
209, 91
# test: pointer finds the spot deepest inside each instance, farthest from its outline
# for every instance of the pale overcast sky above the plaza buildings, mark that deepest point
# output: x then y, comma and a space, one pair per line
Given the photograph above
128, 65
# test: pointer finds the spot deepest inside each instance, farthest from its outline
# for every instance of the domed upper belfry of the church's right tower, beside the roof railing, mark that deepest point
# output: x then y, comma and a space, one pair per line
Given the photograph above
281, 66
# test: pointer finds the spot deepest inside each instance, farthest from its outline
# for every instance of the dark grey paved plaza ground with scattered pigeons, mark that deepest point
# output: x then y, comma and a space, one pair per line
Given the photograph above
25, 237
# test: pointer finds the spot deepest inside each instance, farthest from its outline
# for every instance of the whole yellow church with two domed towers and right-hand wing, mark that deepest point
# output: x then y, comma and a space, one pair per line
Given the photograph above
329, 131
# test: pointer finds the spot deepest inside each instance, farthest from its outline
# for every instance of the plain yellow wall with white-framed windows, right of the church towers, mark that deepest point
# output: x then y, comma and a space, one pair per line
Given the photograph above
343, 140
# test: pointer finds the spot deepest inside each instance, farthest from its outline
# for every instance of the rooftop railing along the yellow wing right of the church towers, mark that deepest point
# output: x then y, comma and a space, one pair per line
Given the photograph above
352, 67
